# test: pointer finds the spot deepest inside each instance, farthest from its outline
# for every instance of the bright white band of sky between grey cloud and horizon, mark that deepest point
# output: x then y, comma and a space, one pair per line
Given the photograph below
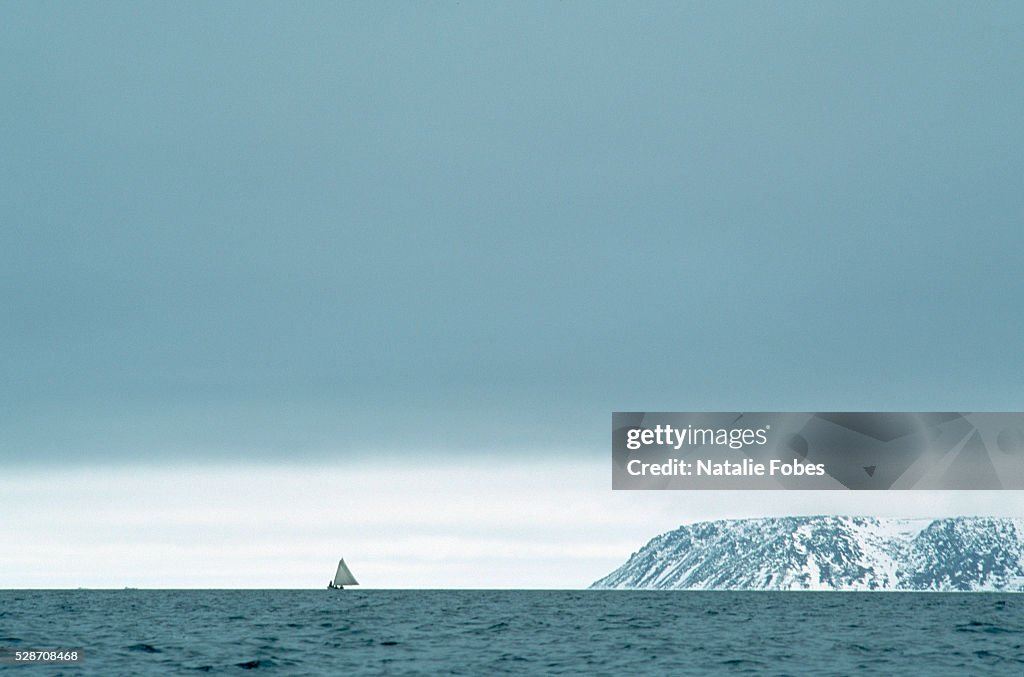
483, 523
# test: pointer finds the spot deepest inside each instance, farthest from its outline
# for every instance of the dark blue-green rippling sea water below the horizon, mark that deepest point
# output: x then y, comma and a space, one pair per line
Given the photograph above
522, 632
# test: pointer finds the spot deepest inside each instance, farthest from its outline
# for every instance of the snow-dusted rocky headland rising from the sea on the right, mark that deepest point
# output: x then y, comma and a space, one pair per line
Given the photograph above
832, 554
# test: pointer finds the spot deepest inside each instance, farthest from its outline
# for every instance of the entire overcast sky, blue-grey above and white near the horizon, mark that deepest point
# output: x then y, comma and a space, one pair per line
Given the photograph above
294, 255
